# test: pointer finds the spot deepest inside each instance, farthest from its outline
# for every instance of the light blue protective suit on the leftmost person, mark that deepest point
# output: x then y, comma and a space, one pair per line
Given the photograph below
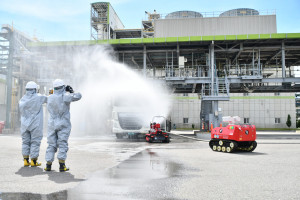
31, 109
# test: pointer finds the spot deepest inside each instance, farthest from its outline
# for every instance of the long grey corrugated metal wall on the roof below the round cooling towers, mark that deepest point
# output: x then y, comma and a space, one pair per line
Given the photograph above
262, 24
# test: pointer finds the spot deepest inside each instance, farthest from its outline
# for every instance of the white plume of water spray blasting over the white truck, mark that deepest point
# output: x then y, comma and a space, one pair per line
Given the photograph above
101, 80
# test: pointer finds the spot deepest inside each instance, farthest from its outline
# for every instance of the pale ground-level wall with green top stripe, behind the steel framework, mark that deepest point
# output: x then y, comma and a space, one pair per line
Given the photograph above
265, 110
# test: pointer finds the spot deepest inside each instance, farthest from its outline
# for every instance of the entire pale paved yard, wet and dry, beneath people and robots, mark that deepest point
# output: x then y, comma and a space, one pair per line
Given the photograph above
103, 168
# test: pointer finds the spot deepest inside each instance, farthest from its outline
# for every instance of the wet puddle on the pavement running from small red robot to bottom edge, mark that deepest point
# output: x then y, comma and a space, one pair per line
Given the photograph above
131, 179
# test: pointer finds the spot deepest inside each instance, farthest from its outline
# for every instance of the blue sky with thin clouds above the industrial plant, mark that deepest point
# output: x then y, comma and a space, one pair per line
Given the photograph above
64, 20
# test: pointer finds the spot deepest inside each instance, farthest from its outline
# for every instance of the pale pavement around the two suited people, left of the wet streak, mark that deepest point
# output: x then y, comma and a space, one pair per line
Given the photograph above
86, 155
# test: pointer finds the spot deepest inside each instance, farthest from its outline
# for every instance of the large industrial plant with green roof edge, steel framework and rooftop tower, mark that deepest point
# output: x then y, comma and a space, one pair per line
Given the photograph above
215, 64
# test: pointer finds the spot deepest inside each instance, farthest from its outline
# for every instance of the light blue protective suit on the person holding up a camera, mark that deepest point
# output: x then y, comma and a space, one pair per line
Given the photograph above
59, 125
